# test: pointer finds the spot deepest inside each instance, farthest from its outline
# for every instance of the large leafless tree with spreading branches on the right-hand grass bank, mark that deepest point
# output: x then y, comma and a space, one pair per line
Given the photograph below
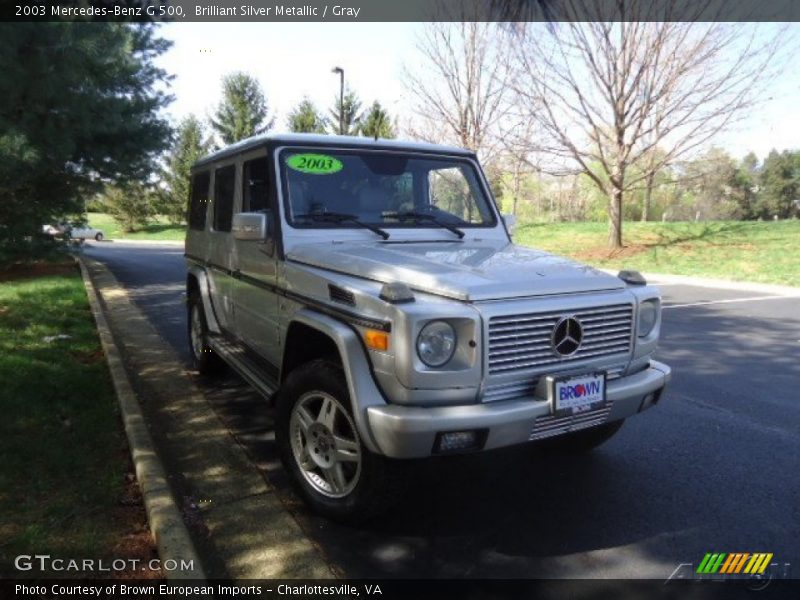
611, 92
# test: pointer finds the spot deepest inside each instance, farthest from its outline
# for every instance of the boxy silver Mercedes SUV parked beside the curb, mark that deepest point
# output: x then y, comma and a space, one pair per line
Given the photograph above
372, 291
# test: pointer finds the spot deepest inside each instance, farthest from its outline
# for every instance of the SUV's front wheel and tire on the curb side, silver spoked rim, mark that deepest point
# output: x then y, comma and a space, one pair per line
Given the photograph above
322, 450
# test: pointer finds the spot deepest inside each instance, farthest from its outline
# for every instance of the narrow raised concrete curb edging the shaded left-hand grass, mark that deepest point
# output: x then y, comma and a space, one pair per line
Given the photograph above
166, 522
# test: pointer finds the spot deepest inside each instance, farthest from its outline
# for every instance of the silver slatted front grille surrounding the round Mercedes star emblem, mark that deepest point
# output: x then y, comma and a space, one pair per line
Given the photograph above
523, 341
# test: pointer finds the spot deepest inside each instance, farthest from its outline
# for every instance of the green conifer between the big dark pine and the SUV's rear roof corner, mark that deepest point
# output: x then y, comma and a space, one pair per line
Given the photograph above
188, 147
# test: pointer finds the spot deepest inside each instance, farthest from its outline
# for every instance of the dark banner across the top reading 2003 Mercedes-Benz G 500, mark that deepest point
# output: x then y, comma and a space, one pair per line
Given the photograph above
399, 10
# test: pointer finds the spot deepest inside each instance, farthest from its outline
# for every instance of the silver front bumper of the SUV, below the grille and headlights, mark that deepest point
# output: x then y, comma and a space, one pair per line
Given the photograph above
410, 432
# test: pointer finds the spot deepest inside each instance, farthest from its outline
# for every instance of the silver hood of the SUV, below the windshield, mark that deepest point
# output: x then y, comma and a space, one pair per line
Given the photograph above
467, 271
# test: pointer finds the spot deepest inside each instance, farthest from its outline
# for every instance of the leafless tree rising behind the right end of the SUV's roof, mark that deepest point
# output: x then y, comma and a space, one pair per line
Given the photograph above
460, 91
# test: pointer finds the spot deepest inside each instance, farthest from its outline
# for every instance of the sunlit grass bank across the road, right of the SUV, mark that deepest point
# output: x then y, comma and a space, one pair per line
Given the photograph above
767, 252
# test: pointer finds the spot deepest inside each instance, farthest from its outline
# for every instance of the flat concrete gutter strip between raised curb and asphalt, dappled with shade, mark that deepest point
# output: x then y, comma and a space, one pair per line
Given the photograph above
244, 530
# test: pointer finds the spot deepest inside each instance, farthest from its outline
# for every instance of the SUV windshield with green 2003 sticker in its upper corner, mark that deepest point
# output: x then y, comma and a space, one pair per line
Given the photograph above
338, 188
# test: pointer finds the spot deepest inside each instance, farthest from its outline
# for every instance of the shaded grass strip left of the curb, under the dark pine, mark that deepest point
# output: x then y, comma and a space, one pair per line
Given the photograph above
66, 487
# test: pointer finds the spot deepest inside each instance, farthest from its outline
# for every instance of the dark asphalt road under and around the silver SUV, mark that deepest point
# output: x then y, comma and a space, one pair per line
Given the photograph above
713, 468
